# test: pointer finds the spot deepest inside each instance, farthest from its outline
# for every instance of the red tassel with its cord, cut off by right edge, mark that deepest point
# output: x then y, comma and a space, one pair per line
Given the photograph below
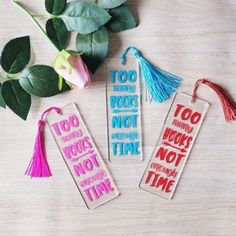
228, 105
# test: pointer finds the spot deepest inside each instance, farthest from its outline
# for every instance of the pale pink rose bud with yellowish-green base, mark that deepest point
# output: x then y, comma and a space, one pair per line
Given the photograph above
70, 66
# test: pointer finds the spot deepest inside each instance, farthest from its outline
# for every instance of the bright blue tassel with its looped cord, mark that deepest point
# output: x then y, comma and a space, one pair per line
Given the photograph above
160, 84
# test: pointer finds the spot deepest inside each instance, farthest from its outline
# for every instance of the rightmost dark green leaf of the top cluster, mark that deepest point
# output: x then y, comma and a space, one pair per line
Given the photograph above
121, 19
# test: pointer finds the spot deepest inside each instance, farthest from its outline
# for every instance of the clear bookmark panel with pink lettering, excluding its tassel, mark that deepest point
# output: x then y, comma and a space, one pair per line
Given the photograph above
81, 156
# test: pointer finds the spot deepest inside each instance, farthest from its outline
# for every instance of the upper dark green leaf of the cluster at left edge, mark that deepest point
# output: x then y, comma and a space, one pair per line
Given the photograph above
16, 55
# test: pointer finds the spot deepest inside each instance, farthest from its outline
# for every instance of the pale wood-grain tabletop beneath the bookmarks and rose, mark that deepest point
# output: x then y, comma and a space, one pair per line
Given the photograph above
189, 38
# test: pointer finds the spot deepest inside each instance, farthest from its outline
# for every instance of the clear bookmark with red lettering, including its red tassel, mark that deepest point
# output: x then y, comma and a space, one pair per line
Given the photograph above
180, 130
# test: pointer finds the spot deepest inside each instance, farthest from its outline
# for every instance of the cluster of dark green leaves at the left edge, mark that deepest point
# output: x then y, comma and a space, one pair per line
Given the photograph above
20, 81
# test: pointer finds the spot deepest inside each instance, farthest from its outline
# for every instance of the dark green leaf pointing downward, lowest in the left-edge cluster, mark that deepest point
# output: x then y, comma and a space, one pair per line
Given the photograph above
16, 98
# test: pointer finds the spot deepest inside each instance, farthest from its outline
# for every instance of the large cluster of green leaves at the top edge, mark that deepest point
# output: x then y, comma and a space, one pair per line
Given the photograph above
91, 19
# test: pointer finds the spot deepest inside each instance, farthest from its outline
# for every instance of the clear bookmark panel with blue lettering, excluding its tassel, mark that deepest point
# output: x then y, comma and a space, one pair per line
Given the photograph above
124, 110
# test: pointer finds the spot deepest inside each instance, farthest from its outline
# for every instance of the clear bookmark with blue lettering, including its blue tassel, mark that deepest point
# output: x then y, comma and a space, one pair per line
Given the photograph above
124, 101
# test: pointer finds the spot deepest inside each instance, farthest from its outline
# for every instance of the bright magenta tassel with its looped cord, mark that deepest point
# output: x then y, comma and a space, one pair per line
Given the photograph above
38, 166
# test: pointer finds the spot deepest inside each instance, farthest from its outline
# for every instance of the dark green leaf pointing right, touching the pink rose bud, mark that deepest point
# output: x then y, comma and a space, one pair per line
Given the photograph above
41, 81
